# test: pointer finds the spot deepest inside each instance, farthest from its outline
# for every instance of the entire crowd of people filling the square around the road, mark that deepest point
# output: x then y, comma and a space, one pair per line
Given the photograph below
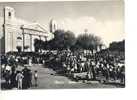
96, 66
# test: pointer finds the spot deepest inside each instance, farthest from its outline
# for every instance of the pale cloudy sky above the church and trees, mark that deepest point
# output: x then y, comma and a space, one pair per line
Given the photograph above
102, 18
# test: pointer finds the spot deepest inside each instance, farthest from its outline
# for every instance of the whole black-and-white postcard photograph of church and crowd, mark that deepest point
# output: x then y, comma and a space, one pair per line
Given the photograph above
62, 45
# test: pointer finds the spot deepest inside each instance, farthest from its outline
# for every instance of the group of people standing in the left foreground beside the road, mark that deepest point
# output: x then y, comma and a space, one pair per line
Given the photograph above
15, 78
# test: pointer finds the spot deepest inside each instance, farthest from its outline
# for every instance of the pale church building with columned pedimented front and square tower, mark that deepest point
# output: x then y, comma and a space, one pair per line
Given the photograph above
15, 32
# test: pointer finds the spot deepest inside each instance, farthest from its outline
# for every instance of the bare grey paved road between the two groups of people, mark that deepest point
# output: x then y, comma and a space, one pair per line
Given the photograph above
48, 79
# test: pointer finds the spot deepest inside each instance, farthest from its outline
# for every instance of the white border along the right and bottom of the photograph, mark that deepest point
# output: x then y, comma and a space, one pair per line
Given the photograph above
96, 94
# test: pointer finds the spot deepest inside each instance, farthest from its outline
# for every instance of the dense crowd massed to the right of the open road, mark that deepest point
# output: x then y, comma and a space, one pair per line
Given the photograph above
107, 67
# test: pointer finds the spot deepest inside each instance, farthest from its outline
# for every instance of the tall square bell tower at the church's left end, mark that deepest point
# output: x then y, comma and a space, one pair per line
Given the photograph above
8, 29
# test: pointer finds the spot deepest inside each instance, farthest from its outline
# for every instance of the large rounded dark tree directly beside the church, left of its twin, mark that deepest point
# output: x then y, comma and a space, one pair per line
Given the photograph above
62, 40
